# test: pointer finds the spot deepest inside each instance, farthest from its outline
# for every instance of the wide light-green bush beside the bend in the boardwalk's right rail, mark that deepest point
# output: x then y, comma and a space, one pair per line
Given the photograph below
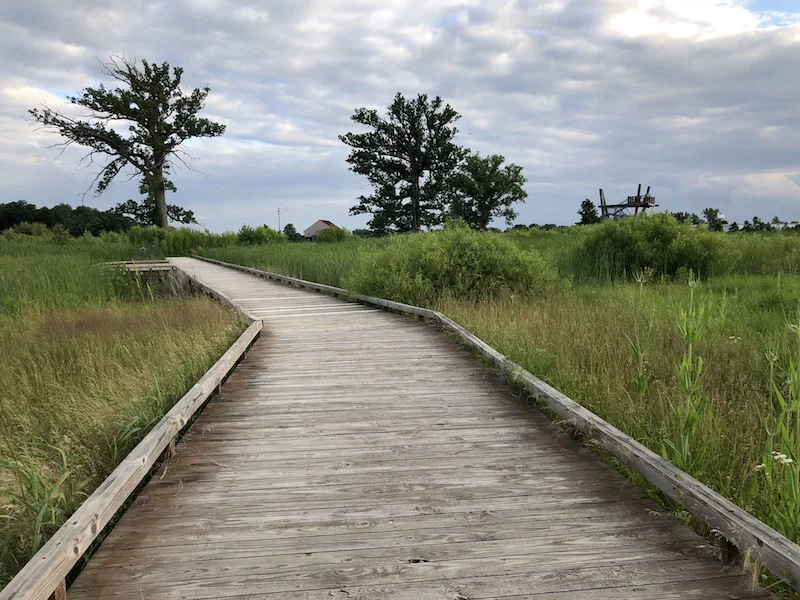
458, 262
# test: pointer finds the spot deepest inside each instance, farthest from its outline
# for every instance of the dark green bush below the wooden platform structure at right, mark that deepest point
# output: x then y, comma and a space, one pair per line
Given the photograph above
619, 248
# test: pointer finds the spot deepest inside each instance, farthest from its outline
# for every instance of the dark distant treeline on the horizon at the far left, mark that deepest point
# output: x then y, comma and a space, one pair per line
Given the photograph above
74, 220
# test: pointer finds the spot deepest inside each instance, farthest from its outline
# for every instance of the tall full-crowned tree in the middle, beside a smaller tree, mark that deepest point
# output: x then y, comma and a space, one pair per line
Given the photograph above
408, 157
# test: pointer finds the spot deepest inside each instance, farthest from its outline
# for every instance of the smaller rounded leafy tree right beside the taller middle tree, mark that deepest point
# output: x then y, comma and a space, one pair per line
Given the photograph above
483, 189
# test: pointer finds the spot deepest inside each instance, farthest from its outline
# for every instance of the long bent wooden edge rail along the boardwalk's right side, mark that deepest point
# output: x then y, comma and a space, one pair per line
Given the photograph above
746, 533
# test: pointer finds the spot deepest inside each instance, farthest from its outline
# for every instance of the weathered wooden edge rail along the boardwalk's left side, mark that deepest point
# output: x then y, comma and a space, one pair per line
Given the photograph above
44, 576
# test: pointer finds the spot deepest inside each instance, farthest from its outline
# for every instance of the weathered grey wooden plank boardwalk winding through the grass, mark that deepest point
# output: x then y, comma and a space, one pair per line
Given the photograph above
358, 454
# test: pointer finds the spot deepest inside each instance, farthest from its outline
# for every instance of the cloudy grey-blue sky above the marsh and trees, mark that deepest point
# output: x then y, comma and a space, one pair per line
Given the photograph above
698, 98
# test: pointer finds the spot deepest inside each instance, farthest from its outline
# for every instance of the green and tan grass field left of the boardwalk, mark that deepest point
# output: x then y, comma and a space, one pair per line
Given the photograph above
90, 359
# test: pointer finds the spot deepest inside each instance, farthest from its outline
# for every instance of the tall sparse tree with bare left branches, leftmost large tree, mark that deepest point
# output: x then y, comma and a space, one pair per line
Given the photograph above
140, 125
